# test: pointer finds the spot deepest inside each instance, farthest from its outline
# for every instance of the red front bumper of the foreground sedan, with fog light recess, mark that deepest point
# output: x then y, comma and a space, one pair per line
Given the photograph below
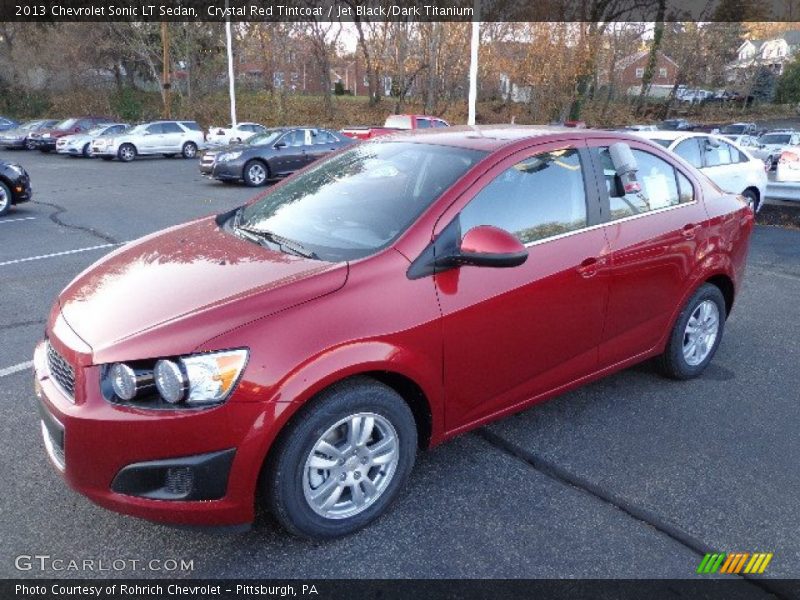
188, 467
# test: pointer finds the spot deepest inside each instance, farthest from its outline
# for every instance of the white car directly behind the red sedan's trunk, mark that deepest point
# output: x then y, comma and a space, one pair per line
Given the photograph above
729, 166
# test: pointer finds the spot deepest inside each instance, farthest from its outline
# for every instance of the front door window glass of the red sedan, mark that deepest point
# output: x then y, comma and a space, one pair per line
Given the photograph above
540, 197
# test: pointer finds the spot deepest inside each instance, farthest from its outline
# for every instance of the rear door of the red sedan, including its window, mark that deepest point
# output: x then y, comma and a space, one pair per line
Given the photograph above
655, 237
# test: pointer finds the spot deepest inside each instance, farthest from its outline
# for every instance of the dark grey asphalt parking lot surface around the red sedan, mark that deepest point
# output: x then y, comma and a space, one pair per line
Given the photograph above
632, 476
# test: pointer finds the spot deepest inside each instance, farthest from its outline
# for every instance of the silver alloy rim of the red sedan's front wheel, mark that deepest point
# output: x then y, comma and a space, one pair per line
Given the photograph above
350, 465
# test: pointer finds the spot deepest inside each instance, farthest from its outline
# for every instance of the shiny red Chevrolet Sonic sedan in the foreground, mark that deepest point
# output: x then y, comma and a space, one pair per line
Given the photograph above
382, 300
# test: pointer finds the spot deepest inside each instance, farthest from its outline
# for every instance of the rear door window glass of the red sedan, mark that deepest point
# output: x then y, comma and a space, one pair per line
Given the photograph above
662, 186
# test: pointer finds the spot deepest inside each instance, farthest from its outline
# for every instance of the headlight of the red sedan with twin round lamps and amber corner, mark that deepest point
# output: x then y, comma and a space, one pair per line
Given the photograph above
187, 381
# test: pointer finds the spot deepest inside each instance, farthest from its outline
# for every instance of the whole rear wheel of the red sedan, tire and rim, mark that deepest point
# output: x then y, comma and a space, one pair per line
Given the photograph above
696, 335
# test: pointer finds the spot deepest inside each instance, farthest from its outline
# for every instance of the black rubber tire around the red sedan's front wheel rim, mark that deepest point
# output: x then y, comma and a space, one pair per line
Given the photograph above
282, 483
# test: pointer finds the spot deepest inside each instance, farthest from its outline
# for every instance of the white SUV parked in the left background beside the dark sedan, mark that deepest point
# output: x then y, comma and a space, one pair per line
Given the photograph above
168, 138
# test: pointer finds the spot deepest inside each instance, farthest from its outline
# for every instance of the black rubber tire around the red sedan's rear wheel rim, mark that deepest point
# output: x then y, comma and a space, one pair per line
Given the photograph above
672, 363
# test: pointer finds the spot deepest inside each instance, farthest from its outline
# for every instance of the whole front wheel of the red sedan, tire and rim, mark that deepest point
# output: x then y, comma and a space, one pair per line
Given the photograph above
341, 463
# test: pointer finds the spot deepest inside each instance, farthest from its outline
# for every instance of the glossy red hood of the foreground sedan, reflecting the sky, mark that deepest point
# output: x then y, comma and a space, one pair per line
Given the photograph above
168, 293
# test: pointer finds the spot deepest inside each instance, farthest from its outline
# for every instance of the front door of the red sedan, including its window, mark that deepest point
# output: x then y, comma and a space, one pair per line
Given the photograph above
513, 334
